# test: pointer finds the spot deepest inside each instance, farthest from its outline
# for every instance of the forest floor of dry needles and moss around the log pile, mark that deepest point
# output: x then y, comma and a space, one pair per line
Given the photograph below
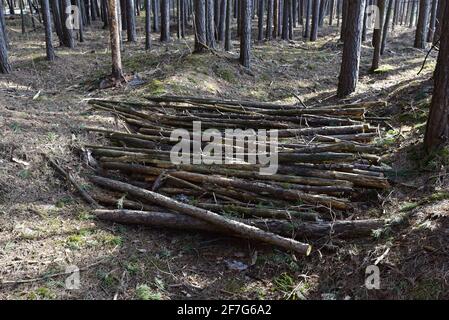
44, 226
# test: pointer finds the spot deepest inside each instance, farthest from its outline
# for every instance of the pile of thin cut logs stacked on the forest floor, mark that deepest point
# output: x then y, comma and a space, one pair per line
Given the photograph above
326, 158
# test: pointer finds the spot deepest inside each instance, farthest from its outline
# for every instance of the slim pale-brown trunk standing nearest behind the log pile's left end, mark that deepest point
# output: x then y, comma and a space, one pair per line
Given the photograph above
117, 72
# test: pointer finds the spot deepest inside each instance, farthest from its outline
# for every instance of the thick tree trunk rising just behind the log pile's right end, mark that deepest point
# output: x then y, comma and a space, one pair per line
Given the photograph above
349, 73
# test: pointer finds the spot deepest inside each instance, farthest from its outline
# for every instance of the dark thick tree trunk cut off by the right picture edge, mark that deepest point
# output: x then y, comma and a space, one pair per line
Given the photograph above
437, 131
